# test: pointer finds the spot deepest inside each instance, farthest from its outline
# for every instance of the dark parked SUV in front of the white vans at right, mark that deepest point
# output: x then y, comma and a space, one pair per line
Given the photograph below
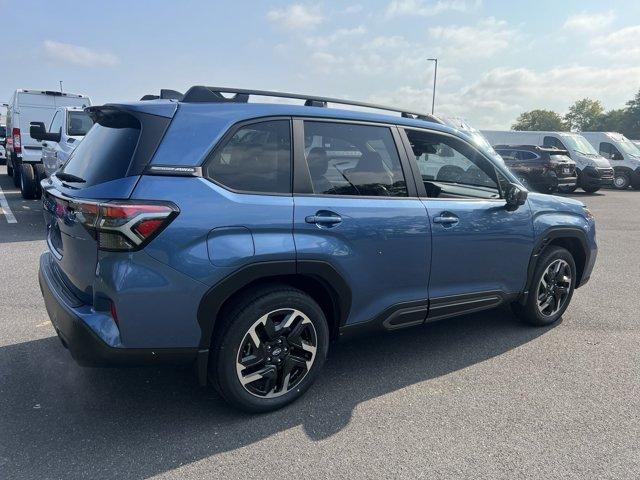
542, 169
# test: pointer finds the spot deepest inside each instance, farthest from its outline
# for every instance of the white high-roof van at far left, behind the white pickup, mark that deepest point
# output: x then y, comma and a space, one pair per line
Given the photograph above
24, 154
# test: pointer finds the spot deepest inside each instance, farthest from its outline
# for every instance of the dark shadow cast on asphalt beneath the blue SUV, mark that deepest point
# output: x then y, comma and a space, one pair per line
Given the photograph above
63, 421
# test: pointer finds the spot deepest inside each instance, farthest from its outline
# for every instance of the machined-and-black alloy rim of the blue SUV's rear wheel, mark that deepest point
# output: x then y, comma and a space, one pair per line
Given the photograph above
276, 353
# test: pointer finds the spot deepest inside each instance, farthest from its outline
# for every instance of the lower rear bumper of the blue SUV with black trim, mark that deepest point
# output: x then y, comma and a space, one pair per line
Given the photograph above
69, 318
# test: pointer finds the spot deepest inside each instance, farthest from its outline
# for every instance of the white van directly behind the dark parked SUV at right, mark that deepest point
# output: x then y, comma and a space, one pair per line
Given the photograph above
594, 171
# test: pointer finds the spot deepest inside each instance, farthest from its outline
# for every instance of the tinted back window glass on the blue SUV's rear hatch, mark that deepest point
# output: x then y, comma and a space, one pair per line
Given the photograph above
106, 151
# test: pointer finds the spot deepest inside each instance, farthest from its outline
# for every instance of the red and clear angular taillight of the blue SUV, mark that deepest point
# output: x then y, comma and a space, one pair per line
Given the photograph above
122, 226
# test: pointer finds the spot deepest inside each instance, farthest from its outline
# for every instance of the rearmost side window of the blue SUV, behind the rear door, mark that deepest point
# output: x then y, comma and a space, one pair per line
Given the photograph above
256, 159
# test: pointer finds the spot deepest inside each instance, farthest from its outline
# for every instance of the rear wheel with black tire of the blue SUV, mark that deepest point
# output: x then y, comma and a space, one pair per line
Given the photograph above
264, 314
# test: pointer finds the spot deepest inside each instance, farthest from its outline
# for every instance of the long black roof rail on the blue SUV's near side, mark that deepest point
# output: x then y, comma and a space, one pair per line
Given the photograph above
202, 94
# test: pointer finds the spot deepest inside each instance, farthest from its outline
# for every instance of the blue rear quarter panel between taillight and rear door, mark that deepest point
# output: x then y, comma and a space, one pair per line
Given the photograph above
211, 221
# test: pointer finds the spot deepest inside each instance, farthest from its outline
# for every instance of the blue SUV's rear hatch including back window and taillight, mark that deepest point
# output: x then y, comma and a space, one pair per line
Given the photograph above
85, 202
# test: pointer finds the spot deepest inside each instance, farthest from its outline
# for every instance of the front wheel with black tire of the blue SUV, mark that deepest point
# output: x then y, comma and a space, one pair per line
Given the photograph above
559, 288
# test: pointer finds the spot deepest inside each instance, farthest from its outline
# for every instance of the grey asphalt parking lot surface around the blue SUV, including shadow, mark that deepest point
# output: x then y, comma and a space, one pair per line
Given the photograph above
480, 396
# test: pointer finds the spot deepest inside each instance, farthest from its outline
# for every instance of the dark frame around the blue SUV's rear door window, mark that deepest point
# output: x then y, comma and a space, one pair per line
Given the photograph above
302, 177
